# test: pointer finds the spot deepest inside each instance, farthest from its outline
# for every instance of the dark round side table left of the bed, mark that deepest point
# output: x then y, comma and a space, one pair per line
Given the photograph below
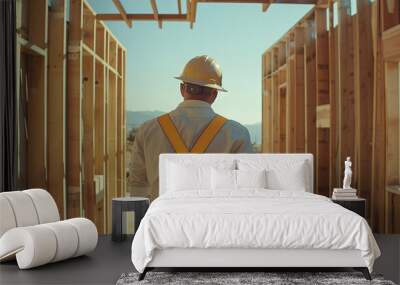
139, 205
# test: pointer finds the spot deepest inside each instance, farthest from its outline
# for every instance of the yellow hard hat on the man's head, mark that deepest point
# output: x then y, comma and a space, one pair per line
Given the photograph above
204, 71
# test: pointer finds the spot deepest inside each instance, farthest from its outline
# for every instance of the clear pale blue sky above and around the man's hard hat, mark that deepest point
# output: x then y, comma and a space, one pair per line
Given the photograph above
235, 35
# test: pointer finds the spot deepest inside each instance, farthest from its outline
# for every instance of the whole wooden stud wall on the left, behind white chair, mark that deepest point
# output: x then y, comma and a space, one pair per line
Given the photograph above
71, 108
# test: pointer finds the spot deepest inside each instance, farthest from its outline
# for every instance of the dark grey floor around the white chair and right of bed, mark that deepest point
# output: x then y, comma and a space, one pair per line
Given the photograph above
110, 260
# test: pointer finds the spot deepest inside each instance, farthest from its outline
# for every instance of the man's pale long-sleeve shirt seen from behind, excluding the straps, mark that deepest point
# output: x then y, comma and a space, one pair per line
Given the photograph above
191, 117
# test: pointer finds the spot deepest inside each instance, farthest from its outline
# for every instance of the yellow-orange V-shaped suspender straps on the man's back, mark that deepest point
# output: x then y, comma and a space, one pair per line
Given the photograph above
202, 142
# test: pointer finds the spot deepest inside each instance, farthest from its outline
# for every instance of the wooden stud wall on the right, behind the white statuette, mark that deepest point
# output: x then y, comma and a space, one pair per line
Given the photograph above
335, 100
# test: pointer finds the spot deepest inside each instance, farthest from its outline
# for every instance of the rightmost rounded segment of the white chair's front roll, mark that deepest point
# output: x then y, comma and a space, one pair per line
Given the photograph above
87, 234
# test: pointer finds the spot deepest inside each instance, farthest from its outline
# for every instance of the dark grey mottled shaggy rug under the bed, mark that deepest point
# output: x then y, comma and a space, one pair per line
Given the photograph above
236, 278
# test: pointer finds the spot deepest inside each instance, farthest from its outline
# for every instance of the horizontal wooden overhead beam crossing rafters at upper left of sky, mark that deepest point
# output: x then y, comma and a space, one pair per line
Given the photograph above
143, 17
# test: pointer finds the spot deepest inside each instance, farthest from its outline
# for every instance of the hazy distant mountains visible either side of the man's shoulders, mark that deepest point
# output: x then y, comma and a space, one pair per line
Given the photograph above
135, 118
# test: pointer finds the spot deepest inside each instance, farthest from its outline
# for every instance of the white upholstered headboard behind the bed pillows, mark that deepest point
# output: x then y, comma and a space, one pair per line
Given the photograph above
209, 159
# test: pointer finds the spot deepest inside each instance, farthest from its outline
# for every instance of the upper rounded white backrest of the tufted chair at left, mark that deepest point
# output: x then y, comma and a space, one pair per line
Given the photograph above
26, 208
